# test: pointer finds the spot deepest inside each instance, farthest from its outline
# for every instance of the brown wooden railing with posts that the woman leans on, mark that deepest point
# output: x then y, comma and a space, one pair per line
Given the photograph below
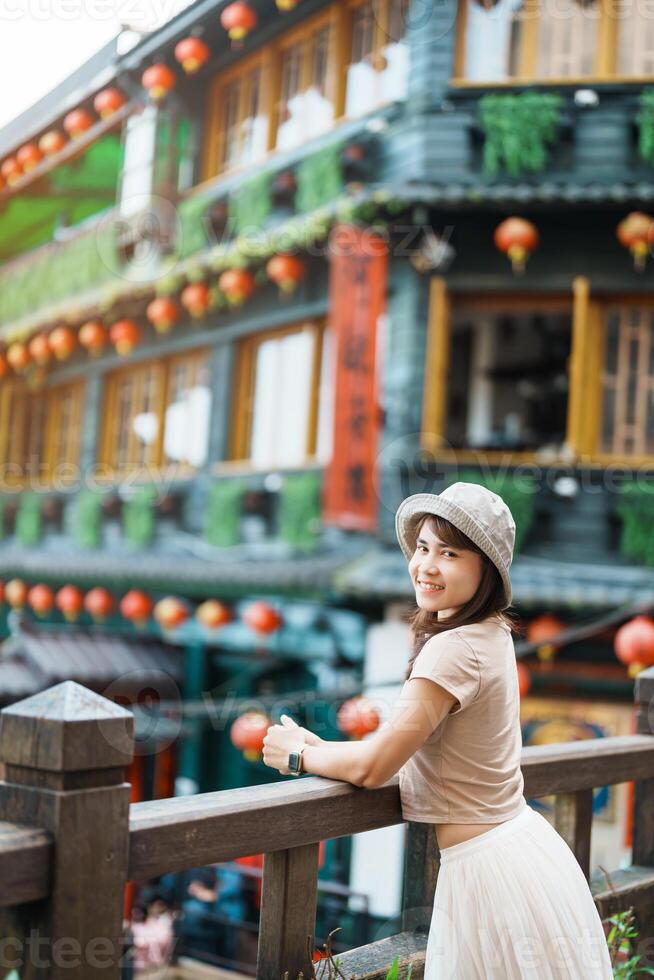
70, 840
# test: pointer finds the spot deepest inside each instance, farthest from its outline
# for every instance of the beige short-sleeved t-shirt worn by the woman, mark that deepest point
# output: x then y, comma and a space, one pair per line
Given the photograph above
468, 769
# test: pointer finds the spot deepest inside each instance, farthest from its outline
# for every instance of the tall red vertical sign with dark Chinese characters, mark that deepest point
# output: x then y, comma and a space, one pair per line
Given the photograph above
357, 299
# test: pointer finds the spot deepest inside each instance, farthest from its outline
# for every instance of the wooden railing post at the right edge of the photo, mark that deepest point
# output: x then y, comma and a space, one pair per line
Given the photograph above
643, 813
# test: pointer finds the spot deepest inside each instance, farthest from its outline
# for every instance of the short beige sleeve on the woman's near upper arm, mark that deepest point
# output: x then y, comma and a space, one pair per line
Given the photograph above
452, 663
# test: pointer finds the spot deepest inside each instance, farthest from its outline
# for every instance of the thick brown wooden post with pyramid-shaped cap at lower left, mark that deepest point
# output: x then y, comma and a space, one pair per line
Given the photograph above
65, 751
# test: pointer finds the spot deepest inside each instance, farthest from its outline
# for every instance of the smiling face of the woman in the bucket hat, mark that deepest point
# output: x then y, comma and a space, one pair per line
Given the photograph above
444, 576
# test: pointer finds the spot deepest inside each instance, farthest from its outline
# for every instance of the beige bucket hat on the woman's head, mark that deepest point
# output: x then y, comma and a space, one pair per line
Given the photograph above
476, 511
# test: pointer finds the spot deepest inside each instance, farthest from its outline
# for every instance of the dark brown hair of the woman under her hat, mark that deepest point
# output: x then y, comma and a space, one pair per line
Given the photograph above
488, 599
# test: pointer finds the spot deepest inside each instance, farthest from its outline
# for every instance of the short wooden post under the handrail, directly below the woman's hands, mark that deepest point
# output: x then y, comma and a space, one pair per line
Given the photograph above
288, 913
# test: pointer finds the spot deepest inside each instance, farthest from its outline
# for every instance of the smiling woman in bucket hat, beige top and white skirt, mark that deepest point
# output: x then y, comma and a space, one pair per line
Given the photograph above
511, 900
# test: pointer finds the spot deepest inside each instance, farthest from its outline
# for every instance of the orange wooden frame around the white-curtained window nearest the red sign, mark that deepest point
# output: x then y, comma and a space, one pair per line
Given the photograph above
242, 402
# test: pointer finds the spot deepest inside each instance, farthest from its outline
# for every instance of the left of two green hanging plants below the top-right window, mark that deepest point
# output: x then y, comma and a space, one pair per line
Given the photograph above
518, 131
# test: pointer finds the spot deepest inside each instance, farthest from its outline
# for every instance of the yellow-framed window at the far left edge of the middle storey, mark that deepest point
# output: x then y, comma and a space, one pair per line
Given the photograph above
41, 432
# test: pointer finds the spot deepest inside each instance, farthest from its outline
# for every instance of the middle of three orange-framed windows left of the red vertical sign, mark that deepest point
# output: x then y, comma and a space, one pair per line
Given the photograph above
157, 414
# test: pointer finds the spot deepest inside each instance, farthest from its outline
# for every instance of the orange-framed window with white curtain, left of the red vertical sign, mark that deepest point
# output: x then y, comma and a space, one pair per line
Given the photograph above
283, 397
